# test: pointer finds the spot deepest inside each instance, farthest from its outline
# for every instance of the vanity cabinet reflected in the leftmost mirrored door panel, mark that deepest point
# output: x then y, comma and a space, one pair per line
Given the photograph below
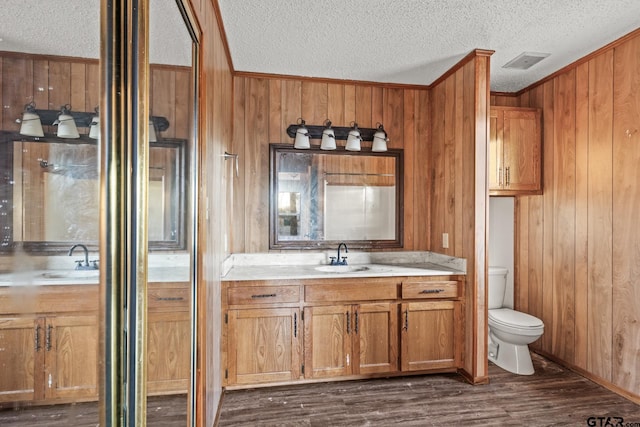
50, 344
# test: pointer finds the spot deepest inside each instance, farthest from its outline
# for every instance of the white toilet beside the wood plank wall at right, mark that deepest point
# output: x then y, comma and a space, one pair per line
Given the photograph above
510, 331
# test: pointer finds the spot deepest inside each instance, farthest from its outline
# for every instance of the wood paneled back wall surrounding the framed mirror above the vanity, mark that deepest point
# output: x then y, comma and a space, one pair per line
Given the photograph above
265, 107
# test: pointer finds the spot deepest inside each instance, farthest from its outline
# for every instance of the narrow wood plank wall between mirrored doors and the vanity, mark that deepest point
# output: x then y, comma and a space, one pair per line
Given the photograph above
216, 186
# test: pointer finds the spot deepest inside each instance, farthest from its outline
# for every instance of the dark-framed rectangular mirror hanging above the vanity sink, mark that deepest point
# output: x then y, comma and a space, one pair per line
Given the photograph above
321, 198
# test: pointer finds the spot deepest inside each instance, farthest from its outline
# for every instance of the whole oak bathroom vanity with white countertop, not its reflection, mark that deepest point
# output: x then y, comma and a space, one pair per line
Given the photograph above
296, 324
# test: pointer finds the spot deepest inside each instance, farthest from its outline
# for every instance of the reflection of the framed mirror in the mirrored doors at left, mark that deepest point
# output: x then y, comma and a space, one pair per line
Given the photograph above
55, 192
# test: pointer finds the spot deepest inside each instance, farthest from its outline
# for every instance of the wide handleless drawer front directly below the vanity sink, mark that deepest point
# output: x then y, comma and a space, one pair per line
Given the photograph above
350, 292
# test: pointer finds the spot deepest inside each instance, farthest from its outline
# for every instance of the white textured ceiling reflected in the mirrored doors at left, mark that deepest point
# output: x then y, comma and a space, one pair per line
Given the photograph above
72, 28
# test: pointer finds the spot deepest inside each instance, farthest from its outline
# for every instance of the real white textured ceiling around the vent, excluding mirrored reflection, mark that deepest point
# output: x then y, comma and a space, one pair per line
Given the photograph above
416, 41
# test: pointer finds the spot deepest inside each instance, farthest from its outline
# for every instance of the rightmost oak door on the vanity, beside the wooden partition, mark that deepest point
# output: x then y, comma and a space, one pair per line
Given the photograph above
429, 336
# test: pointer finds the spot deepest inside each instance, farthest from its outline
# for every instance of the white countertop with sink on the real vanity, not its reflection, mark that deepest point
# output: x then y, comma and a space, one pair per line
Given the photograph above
240, 267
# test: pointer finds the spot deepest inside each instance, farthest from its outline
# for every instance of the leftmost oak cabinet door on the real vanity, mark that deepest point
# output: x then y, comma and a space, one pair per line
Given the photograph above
263, 345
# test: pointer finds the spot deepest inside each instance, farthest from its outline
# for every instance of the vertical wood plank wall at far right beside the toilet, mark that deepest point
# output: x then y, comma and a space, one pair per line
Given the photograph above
577, 245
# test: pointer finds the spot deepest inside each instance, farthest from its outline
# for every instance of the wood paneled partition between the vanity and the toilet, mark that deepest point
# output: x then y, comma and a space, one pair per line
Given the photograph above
459, 190
